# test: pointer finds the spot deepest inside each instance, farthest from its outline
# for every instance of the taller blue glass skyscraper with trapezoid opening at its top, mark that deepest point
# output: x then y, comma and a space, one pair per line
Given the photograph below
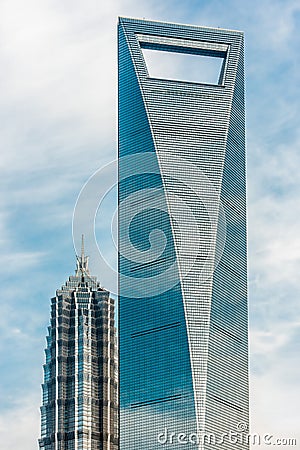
183, 240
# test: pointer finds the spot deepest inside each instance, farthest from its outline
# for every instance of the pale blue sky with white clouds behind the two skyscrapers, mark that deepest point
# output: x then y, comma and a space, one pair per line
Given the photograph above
58, 102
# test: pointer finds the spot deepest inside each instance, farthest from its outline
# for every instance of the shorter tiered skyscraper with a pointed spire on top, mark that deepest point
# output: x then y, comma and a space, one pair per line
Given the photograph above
80, 391
